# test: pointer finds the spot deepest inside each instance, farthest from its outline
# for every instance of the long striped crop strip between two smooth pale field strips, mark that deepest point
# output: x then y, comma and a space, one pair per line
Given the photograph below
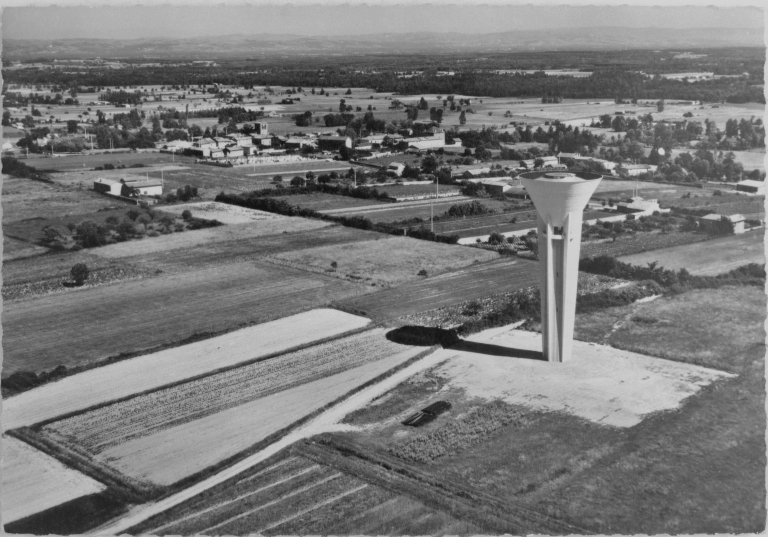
109, 426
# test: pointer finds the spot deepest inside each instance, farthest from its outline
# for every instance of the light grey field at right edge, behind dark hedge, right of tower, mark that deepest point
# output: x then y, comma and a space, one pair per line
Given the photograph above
715, 257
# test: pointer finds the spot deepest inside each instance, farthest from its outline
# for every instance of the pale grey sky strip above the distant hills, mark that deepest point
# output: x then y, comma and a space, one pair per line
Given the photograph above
132, 22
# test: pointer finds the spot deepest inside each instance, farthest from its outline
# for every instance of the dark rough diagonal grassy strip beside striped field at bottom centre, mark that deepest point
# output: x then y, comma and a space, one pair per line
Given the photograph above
446, 496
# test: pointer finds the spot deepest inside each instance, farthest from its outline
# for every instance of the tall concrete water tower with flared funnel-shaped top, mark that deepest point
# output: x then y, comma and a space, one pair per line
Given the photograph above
560, 198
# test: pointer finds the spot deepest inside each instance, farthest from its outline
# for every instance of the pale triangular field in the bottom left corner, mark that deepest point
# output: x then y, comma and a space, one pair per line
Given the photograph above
33, 481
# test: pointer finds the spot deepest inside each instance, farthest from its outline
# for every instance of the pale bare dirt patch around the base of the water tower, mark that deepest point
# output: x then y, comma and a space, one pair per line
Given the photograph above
601, 384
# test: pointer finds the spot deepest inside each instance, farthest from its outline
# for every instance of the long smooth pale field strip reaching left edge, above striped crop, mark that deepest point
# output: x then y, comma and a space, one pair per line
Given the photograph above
128, 377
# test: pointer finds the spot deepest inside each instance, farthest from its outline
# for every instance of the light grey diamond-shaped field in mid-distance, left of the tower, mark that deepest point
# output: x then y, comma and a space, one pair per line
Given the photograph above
386, 260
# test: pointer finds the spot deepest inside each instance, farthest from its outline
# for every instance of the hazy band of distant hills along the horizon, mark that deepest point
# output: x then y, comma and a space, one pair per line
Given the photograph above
242, 46
